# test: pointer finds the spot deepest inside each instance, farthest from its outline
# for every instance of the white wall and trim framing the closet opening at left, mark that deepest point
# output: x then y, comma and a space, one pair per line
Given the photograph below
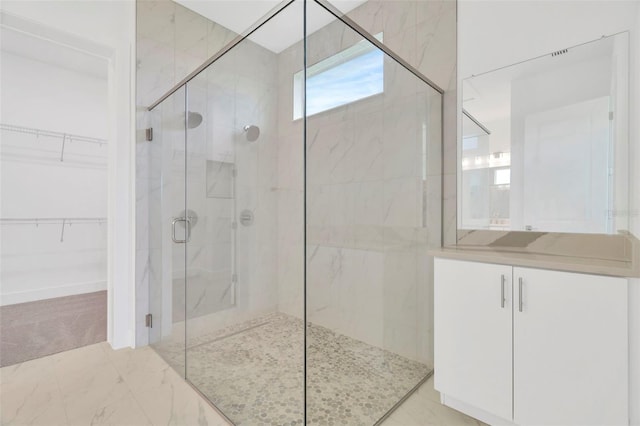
106, 28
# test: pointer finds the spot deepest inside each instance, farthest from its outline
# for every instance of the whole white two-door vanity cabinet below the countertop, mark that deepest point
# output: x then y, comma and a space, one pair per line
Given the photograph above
531, 346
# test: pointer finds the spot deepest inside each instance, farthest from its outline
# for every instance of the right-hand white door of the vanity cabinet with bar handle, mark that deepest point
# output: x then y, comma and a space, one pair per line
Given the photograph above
570, 349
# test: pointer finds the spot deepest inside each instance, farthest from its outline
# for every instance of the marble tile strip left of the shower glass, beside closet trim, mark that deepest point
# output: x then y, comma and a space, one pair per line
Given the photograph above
171, 41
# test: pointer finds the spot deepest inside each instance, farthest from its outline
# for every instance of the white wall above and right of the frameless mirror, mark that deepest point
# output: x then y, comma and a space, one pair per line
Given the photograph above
493, 34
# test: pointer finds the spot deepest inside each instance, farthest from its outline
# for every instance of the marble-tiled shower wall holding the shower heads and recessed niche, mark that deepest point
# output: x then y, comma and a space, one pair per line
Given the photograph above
237, 90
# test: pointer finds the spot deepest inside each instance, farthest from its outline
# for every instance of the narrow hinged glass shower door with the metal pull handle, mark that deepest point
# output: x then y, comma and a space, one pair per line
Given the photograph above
169, 230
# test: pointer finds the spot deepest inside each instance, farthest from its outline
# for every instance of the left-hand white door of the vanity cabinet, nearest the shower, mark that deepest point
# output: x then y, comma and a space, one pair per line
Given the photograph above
473, 334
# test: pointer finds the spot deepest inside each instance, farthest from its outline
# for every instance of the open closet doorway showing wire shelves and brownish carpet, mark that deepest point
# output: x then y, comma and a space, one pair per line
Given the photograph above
54, 152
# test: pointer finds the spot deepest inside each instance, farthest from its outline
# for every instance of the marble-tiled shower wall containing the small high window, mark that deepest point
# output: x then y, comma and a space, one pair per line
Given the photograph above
370, 215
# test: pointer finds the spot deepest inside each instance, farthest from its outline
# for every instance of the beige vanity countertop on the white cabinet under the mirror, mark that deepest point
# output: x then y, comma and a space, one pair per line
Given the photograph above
614, 268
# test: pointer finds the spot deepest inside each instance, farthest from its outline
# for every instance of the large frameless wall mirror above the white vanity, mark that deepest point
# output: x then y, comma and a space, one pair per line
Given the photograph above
544, 143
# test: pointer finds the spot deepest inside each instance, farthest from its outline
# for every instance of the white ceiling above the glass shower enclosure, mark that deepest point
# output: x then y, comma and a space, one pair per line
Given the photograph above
283, 30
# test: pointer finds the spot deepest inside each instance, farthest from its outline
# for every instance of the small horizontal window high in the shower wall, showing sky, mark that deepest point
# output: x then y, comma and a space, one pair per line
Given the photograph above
348, 76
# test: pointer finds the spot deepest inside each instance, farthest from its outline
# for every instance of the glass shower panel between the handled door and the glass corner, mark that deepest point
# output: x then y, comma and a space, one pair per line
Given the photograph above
244, 341
